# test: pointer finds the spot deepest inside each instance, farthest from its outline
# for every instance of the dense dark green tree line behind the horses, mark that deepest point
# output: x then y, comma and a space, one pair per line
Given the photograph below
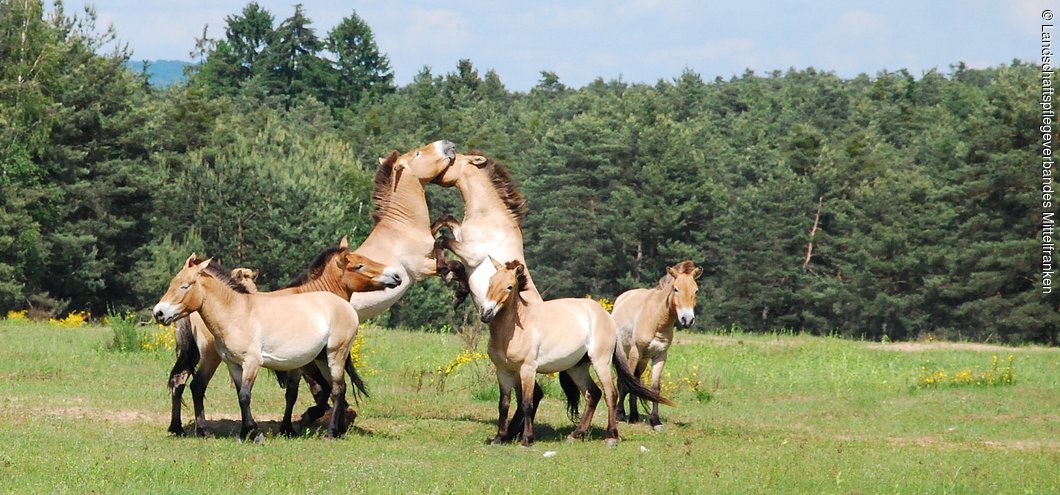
877, 206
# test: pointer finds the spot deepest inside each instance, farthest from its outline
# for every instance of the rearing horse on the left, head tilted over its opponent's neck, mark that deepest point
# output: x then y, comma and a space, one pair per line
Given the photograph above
401, 238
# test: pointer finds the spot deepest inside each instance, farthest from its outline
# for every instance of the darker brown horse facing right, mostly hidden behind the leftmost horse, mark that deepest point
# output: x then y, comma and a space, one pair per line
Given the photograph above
334, 270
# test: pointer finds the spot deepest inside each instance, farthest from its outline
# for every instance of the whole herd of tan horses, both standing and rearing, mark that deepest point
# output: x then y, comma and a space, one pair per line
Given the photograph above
306, 331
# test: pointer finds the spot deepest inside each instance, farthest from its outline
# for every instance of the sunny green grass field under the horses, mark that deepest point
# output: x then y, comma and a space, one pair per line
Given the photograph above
756, 414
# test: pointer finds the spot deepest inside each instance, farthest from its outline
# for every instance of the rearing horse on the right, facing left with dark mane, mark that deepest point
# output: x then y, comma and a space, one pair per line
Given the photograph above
494, 211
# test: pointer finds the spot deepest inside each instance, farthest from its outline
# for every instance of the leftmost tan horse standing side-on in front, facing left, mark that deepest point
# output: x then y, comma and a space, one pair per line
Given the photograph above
282, 333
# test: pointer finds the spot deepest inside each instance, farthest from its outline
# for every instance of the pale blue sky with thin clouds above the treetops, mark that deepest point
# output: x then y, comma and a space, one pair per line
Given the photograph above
634, 41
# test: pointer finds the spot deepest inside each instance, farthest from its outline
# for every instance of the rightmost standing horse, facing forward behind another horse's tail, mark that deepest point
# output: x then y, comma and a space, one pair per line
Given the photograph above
645, 319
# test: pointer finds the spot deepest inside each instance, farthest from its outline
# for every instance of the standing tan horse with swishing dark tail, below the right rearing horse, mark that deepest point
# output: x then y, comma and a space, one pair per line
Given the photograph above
532, 338
